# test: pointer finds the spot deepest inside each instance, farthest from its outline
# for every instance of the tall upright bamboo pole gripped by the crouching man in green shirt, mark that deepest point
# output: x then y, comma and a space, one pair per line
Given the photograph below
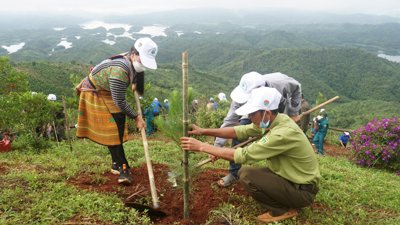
185, 107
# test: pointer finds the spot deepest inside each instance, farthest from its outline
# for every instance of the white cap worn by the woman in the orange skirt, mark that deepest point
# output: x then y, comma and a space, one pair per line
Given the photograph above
147, 49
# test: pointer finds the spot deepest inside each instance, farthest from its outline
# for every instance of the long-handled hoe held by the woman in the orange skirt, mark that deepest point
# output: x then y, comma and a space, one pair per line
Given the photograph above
156, 204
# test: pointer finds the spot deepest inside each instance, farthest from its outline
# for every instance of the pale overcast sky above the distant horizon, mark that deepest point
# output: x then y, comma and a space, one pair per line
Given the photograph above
376, 7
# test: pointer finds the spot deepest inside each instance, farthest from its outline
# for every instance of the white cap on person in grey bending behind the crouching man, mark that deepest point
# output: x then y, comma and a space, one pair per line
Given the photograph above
248, 82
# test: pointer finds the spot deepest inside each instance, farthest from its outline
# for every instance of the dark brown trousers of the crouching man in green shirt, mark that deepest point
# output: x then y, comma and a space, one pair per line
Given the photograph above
275, 193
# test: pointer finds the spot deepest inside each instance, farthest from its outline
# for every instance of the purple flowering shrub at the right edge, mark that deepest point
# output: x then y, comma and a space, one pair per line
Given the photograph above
377, 144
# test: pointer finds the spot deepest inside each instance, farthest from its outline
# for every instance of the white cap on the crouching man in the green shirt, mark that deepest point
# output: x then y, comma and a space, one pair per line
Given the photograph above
263, 98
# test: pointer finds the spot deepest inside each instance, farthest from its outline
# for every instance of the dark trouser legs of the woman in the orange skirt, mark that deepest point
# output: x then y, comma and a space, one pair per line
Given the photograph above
117, 151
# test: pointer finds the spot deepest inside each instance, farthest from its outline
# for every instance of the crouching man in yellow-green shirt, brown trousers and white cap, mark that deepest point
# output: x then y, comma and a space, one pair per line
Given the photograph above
289, 181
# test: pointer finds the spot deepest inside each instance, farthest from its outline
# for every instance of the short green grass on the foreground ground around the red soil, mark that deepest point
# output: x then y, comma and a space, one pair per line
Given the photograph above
34, 189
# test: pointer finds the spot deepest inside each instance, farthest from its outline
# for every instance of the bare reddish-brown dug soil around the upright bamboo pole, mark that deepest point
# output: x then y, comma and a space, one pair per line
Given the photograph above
204, 196
